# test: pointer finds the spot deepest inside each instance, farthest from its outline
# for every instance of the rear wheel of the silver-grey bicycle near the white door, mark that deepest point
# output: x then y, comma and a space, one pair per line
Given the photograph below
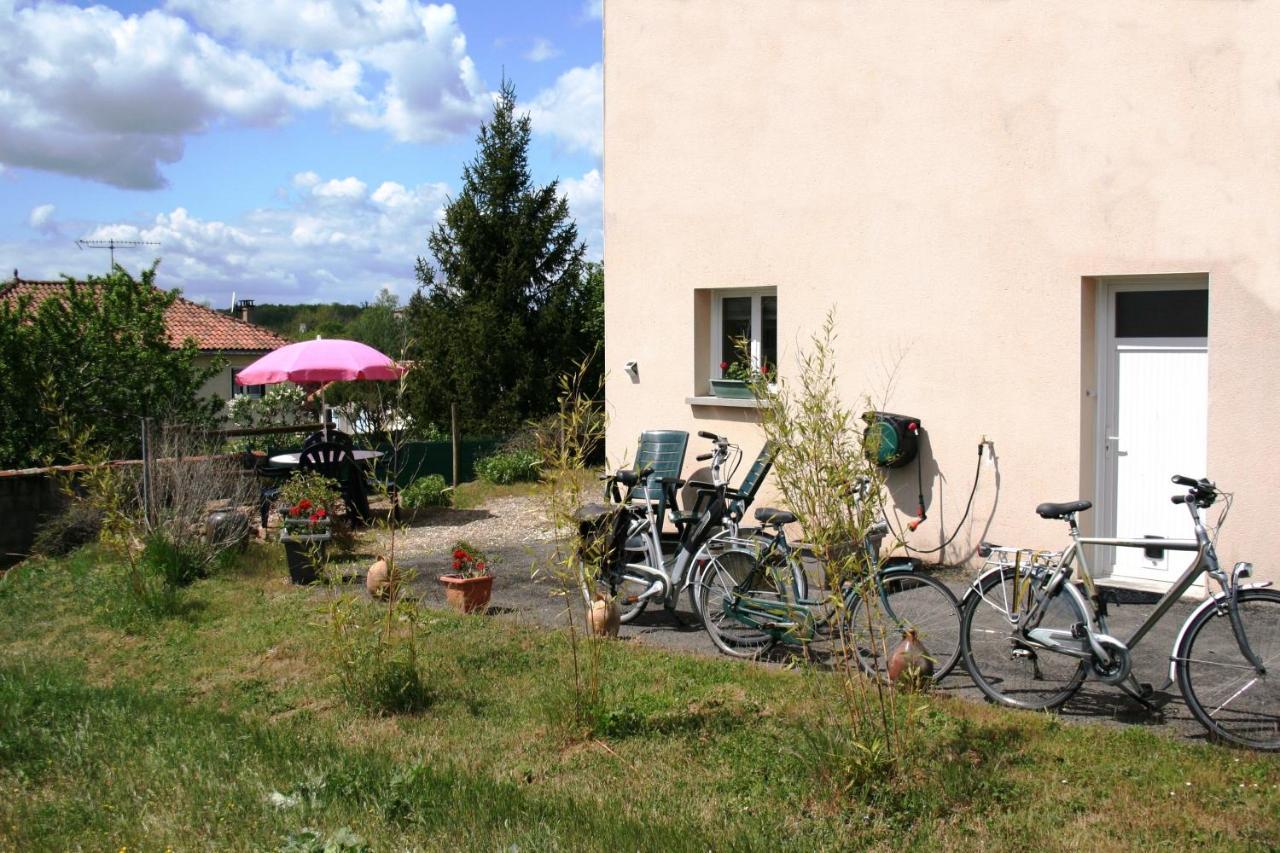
1008, 668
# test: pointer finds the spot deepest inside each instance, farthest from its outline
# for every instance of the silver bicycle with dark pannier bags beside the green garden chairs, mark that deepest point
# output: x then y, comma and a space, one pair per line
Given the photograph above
641, 569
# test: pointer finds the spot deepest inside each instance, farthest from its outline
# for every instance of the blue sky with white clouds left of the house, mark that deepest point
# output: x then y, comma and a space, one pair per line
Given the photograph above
277, 150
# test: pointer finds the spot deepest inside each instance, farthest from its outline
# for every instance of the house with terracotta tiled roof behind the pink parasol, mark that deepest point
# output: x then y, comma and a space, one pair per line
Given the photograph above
234, 341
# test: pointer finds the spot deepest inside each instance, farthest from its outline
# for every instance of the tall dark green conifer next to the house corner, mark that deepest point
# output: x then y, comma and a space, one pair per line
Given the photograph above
508, 305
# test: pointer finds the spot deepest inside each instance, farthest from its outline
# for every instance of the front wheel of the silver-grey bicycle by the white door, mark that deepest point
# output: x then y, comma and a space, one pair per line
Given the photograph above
1223, 690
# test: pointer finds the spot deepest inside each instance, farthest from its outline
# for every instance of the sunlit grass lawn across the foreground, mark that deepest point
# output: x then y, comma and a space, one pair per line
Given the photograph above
223, 727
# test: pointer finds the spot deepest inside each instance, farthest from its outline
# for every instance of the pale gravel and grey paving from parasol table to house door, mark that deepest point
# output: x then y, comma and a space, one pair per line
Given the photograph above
513, 532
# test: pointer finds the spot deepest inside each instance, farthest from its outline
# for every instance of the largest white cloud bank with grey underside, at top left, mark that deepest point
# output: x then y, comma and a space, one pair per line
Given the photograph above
112, 98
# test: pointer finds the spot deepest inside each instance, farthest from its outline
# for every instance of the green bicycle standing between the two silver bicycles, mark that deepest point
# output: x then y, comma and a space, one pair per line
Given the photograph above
744, 623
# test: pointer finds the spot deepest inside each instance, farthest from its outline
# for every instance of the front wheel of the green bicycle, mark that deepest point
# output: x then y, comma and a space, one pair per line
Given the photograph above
906, 600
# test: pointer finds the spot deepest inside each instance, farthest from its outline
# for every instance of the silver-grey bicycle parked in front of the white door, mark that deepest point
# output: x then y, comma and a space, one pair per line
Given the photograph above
1031, 636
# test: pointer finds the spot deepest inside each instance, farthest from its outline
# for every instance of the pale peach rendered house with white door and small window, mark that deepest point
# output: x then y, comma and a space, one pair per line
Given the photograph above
1053, 225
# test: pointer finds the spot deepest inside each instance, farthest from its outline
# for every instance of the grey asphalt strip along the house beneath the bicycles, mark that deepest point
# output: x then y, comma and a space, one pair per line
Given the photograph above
522, 597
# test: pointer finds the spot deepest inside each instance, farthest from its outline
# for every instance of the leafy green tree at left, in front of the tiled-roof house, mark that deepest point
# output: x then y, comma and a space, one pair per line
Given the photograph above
88, 364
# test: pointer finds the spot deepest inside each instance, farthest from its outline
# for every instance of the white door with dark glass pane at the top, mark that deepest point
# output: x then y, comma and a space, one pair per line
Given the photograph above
1156, 410
